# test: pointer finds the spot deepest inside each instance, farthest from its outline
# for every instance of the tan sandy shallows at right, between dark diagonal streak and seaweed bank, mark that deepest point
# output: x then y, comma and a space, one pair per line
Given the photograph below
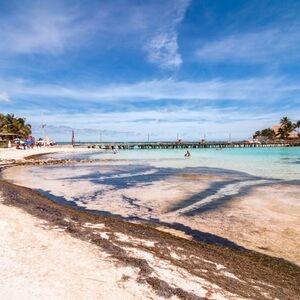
266, 220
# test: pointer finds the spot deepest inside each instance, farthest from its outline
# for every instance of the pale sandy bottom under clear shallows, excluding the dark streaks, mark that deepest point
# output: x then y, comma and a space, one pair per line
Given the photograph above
266, 219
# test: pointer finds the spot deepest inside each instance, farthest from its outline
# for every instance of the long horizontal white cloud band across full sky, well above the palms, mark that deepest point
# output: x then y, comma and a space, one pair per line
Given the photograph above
254, 89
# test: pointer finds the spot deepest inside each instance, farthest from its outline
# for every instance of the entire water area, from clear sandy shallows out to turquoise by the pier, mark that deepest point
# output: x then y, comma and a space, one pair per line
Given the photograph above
249, 196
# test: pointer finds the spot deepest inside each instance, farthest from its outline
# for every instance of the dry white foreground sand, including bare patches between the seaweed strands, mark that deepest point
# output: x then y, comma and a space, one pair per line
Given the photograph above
42, 263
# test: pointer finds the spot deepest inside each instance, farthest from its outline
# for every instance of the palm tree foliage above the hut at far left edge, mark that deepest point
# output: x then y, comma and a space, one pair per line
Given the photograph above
11, 124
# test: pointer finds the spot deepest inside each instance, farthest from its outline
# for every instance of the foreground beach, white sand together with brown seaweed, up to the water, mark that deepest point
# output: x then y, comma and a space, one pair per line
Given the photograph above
59, 252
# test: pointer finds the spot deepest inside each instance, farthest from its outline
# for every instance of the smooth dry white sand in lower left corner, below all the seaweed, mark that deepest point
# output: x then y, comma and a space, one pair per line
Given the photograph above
38, 263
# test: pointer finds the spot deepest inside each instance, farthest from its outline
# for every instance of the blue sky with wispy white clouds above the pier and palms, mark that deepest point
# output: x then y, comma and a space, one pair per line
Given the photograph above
125, 69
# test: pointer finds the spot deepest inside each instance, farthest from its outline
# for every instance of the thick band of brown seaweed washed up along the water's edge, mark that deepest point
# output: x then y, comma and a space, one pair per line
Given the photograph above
115, 237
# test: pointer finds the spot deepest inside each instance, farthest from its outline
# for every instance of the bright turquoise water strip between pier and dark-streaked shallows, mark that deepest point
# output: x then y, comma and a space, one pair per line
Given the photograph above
281, 163
